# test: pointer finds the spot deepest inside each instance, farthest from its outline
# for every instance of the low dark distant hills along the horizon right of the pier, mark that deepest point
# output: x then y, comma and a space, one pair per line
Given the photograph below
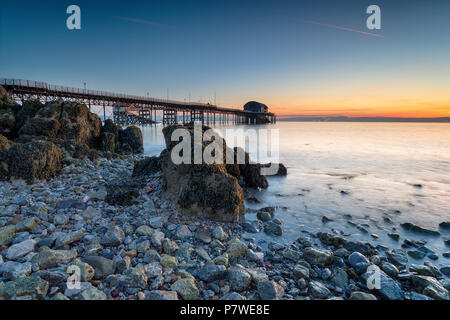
363, 119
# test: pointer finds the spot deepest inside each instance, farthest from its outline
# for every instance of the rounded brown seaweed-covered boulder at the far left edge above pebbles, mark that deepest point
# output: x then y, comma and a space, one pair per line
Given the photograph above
38, 160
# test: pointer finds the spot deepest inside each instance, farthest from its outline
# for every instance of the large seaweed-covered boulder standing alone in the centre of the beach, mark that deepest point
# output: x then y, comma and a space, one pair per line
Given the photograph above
200, 189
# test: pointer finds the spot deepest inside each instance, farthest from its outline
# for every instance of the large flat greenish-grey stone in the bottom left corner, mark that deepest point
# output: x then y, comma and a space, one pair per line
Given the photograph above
32, 286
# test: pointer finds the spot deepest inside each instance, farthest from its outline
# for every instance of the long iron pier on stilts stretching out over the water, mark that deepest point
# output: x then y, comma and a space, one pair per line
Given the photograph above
132, 109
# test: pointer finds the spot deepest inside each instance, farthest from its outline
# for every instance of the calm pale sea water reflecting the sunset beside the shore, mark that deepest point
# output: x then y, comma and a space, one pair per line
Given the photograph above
367, 170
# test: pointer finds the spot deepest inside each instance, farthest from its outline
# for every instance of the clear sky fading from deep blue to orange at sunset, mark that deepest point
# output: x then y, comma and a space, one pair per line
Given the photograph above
298, 57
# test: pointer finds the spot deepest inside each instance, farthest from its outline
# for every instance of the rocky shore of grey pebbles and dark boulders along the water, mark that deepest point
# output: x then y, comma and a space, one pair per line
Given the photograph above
141, 228
